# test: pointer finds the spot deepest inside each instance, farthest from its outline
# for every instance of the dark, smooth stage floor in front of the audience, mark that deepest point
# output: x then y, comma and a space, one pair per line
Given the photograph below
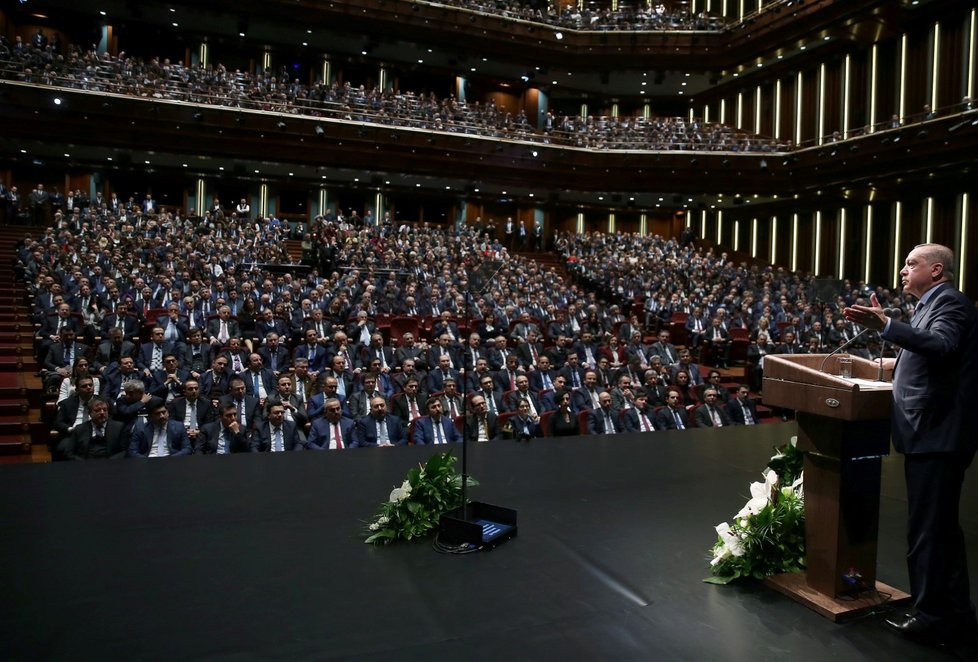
256, 557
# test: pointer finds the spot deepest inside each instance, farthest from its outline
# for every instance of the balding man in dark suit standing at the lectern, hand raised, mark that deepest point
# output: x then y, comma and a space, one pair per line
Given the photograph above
935, 379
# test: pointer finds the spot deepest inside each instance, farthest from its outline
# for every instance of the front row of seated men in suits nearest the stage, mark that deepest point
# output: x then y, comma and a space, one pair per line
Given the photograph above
141, 425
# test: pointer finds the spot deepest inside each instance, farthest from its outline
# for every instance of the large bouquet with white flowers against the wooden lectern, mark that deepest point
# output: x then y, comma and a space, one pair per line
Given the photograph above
767, 536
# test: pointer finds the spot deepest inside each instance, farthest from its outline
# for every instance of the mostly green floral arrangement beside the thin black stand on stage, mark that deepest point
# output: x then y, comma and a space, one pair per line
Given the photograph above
415, 508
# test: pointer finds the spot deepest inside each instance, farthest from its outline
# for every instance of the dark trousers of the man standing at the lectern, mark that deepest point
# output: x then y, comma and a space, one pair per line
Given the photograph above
935, 543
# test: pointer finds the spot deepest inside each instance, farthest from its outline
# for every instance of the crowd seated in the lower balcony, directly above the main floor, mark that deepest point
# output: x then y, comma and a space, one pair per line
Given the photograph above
156, 79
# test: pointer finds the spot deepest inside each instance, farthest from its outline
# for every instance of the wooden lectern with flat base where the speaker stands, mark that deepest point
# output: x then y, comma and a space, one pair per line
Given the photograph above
844, 431
